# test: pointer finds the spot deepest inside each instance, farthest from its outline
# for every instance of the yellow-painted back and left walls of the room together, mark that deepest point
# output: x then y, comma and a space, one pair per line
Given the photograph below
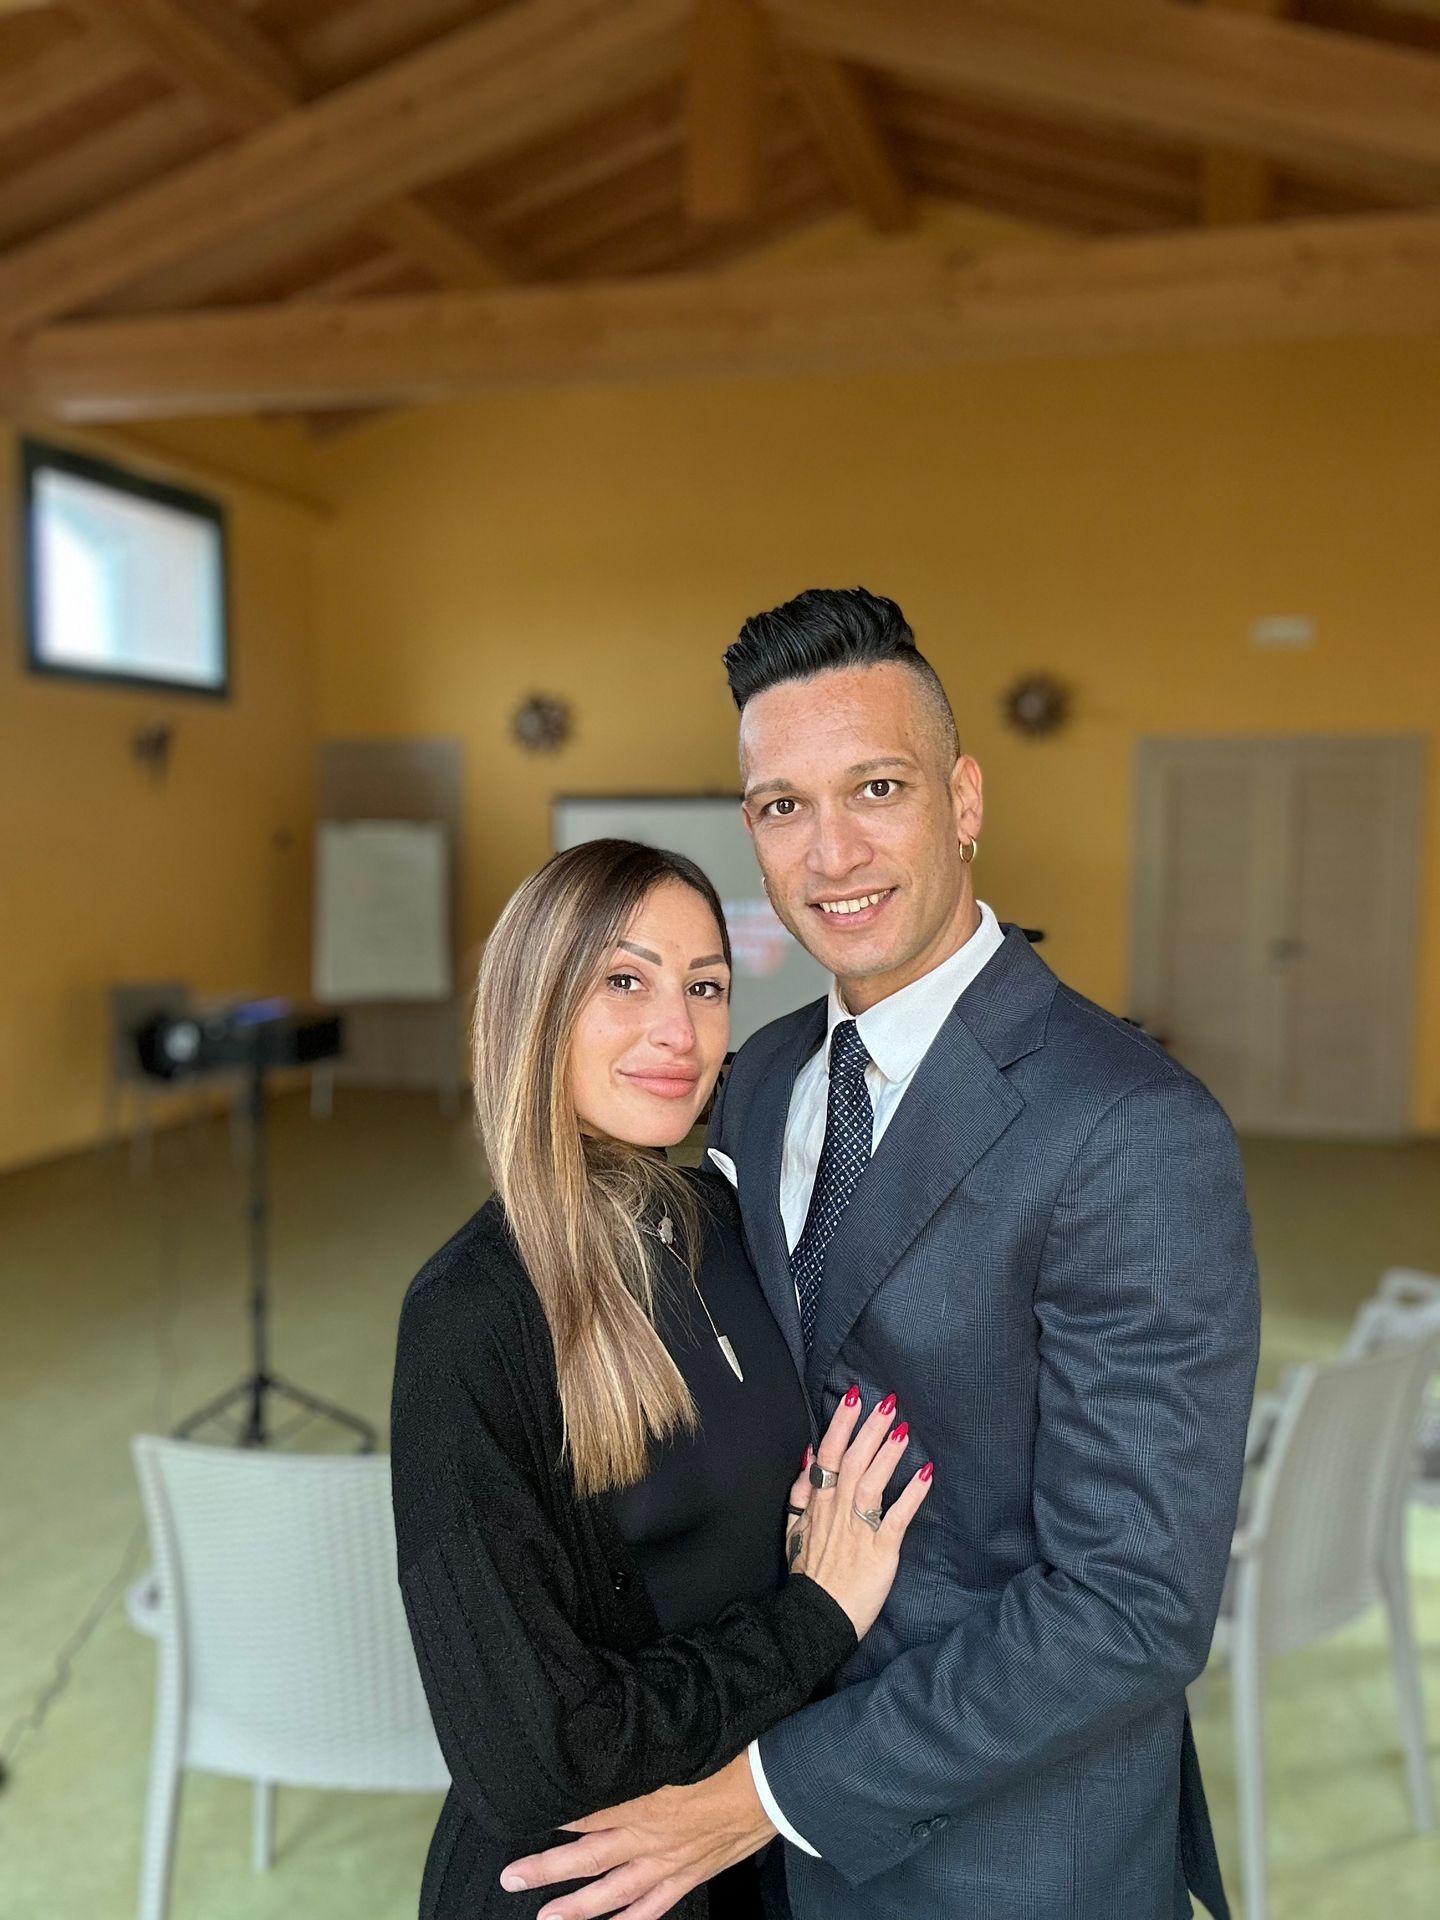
1120, 523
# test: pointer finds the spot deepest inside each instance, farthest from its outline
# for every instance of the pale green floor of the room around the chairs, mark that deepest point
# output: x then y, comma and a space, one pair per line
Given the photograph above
122, 1308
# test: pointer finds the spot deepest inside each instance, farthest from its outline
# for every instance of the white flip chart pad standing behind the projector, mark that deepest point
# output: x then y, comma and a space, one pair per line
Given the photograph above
383, 911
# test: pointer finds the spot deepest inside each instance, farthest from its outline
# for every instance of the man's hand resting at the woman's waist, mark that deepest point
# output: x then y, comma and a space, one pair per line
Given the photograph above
650, 1852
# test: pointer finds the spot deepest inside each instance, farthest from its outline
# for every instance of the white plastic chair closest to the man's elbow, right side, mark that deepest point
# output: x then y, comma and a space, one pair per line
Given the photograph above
1322, 1545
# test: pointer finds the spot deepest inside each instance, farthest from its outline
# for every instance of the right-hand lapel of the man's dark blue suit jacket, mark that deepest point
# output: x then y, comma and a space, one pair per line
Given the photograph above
953, 1113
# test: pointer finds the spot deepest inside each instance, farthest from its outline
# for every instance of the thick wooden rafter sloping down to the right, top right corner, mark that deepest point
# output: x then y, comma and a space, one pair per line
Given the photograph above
1276, 87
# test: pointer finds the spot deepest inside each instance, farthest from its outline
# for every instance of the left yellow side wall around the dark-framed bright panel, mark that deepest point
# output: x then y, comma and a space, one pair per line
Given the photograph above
107, 876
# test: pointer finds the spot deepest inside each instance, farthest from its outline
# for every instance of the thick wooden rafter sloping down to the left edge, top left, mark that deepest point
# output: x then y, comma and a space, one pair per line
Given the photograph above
483, 89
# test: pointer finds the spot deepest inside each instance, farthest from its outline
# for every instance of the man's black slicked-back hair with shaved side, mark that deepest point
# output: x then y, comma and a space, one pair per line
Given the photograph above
828, 629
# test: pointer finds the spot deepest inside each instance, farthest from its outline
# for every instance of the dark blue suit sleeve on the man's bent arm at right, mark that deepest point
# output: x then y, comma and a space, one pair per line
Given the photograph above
1147, 1308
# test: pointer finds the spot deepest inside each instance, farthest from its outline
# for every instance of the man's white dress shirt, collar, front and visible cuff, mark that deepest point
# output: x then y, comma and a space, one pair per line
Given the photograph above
898, 1032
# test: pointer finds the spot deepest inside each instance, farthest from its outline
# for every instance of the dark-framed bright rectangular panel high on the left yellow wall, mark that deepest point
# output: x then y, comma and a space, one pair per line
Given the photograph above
126, 579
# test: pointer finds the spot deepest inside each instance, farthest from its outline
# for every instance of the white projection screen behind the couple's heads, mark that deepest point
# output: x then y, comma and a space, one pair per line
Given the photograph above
775, 974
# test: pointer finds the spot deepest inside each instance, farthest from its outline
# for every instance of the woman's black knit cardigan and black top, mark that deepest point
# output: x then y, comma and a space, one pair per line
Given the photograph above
554, 1687
